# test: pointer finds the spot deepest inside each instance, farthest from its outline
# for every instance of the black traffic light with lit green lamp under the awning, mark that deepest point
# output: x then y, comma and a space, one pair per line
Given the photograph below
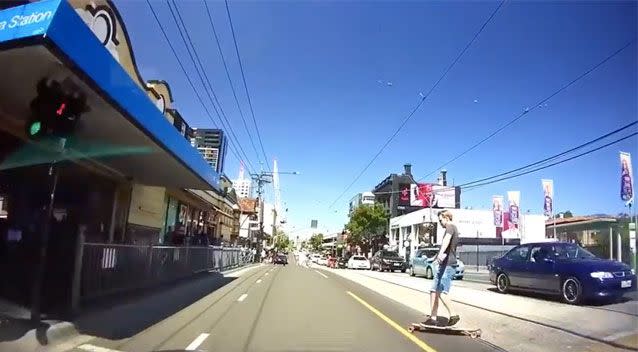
54, 112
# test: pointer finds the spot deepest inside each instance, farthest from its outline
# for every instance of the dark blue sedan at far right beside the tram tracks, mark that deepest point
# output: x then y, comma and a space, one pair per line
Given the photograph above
563, 269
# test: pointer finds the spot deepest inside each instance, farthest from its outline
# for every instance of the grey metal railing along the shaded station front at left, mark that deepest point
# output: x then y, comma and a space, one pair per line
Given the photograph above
111, 268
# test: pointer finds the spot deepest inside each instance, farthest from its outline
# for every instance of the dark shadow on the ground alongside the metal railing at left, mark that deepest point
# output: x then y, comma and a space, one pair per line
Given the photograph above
125, 315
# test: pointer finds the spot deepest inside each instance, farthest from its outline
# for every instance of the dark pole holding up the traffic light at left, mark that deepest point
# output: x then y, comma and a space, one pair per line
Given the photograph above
36, 293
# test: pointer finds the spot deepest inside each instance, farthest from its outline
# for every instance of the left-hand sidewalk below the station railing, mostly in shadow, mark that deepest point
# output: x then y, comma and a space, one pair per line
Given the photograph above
115, 318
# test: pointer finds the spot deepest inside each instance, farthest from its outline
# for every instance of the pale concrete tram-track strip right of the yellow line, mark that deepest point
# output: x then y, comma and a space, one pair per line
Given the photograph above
516, 323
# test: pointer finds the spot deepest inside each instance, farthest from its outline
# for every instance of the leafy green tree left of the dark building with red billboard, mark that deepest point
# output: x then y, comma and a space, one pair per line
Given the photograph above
366, 223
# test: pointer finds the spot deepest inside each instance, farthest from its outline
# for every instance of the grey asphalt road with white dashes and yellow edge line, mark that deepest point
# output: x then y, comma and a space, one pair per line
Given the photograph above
291, 308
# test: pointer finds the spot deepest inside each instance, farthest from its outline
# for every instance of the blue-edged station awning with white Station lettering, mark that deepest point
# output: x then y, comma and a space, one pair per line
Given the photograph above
49, 38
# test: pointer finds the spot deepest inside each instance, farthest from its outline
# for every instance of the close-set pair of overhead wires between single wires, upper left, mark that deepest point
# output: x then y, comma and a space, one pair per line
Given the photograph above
208, 90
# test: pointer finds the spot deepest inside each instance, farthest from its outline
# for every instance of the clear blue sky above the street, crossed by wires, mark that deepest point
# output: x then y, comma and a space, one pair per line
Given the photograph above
313, 70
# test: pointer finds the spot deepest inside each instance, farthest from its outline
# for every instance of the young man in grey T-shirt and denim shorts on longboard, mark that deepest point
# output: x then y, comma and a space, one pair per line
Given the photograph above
444, 271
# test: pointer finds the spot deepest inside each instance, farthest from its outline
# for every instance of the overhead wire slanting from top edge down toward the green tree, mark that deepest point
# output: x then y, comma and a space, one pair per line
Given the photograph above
419, 104
